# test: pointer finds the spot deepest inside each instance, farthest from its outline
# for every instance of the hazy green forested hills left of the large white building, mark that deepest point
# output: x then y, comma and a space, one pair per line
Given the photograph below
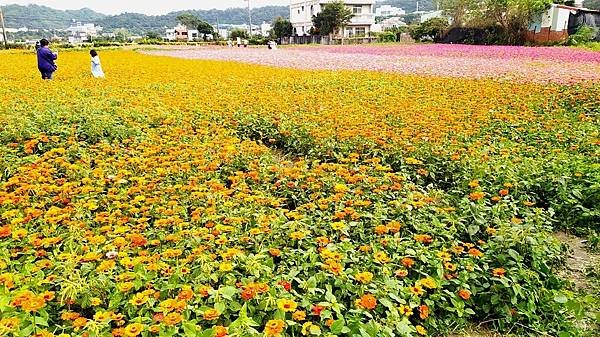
35, 16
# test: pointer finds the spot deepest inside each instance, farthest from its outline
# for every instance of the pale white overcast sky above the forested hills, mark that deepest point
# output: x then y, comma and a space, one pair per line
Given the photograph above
145, 6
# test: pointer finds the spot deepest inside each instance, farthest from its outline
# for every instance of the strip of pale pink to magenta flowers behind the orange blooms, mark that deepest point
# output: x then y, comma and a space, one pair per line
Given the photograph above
524, 64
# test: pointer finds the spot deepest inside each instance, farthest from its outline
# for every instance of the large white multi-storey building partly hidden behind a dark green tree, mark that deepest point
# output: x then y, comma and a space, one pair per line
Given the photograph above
302, 11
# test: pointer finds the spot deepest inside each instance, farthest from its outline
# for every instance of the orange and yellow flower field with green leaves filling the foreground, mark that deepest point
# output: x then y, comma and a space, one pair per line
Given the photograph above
212, 198
